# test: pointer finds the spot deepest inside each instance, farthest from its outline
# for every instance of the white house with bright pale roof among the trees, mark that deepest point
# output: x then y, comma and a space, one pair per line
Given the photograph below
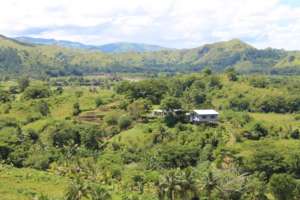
205, 116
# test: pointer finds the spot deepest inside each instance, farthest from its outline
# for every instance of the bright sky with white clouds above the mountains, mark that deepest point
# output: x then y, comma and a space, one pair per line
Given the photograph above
169, 23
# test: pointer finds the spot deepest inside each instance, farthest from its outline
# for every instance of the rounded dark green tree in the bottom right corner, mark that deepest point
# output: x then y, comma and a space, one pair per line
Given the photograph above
282, 186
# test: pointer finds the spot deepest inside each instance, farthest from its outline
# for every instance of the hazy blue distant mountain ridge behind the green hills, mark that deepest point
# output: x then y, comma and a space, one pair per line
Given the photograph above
120, 47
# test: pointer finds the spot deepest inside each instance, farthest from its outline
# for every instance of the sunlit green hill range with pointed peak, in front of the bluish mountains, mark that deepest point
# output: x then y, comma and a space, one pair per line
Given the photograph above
19, 57
